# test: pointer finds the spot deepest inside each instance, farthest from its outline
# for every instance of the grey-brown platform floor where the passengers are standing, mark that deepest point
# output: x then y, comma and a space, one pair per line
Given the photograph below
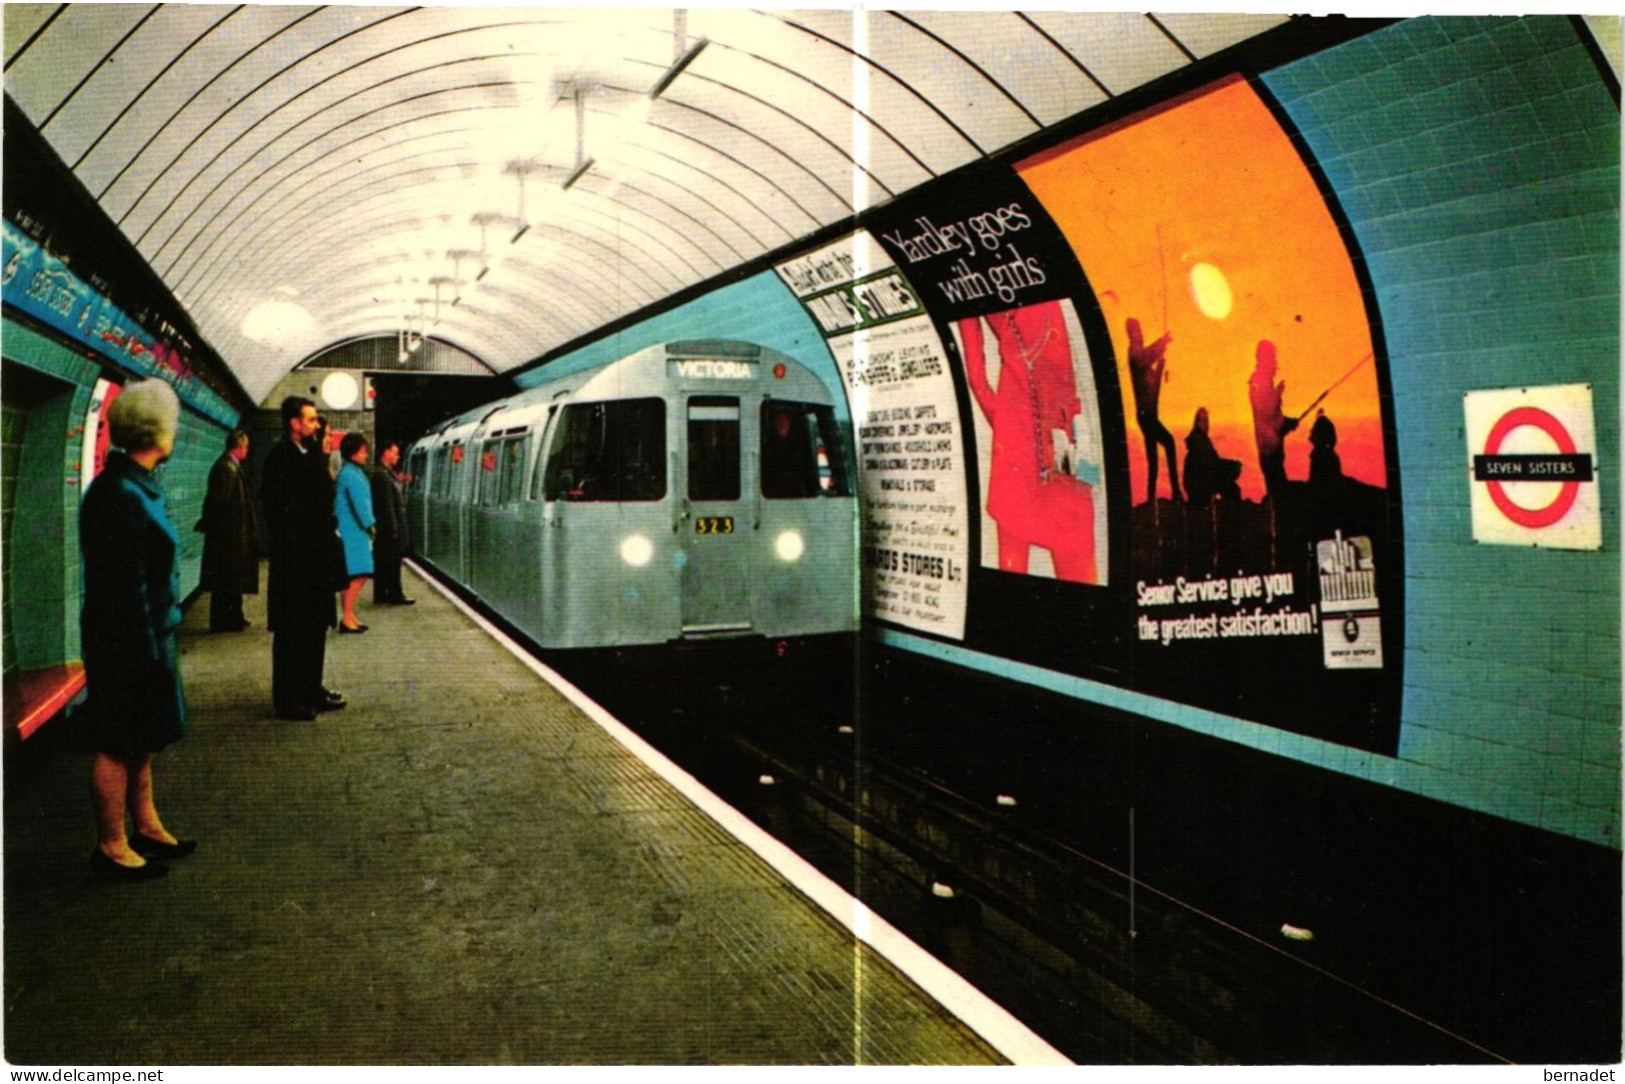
461, 869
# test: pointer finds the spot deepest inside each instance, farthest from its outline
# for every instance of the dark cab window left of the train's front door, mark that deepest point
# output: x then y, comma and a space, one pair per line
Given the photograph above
612, 451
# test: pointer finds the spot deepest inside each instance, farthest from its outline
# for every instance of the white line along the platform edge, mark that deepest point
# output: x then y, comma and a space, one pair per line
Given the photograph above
981, 1013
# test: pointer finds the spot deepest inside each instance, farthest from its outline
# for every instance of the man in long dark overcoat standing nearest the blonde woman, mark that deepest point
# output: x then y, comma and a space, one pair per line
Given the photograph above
298, 498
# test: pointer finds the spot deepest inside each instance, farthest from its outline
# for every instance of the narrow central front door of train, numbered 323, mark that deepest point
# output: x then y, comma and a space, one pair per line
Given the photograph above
714, 526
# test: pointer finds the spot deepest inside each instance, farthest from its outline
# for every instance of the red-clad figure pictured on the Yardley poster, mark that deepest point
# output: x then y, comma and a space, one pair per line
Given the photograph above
1029, 496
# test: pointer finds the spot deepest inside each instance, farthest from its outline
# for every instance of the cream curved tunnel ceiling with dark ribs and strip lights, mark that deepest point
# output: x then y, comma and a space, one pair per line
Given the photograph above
310, 176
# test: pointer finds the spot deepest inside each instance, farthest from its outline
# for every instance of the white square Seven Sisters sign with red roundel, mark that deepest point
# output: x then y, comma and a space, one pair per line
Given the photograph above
1532, 457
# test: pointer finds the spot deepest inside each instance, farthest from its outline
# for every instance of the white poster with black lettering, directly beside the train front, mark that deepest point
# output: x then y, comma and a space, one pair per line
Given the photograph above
908, 431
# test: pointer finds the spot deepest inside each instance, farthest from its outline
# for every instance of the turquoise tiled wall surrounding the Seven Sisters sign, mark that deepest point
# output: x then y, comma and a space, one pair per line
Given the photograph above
1478, 165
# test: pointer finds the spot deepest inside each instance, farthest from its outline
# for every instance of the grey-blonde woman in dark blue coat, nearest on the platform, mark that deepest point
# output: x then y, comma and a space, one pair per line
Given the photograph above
128, 633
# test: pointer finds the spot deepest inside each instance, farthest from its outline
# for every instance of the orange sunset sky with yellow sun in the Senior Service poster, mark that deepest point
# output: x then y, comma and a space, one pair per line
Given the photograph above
1200, 222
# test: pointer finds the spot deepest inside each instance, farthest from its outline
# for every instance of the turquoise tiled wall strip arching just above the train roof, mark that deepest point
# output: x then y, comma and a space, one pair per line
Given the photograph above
758, 310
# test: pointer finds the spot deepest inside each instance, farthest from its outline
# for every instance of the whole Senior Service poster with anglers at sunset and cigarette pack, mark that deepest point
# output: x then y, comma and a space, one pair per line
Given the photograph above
1252, 399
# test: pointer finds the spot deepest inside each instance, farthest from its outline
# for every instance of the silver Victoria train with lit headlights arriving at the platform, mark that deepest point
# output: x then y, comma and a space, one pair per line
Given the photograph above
691, 492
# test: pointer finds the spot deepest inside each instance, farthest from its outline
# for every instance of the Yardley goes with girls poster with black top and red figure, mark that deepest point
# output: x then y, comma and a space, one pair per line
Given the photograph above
992, 267
